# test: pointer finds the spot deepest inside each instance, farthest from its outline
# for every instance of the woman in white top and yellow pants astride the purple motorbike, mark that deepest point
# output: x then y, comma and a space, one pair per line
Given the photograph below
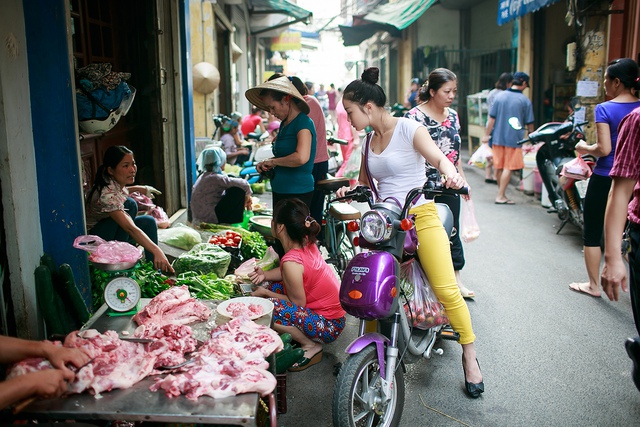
398, 148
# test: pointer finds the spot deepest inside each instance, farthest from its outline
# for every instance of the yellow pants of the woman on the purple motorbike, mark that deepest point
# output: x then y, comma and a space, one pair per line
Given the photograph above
435, 257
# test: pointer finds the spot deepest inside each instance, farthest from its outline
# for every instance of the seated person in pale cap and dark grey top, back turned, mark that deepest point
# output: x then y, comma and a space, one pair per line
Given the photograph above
217, 198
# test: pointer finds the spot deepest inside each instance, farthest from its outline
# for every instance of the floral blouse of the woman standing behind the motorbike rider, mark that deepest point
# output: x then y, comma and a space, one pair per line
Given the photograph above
446, 135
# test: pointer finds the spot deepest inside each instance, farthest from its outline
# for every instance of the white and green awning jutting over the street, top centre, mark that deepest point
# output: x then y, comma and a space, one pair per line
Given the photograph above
390, 17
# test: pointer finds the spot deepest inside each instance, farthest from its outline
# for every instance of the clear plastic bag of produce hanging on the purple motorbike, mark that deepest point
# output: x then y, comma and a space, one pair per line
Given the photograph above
423, 309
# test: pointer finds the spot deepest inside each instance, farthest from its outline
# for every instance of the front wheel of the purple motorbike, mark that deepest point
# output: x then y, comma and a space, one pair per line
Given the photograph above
357, 397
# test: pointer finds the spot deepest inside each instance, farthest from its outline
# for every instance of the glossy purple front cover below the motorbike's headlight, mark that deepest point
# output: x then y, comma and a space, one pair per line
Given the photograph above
369, 288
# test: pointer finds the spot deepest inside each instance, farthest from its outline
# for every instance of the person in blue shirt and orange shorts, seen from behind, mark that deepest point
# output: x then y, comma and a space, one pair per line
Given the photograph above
510, 113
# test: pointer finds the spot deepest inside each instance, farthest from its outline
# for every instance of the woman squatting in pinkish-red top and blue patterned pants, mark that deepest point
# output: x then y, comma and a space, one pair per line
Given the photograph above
304, 290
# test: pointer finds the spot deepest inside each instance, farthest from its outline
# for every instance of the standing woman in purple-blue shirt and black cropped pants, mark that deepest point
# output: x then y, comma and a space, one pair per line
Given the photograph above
621, 83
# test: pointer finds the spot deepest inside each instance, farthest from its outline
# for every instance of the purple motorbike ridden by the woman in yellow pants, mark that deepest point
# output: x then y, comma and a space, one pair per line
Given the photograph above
369, 390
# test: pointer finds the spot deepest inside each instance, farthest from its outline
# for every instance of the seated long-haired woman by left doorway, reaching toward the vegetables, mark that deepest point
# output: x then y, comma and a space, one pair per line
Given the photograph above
113, 215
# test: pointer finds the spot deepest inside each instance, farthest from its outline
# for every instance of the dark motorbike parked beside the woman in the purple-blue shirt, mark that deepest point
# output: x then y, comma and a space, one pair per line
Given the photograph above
561, 139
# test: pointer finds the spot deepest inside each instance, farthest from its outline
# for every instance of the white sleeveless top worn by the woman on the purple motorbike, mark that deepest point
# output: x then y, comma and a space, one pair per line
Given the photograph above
399, 168
